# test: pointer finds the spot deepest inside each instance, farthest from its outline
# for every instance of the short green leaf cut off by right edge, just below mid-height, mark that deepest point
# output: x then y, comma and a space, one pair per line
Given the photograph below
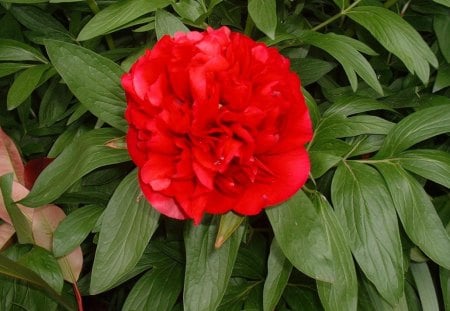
431, 164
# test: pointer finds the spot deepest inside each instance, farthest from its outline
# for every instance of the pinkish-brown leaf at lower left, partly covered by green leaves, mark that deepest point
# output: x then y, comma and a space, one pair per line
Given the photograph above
45, 222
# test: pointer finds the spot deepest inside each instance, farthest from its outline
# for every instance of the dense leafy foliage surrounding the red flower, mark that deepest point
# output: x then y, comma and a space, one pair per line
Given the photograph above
367, 232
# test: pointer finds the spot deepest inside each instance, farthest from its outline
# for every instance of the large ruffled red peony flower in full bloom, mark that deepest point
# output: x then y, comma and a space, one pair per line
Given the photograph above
217, 123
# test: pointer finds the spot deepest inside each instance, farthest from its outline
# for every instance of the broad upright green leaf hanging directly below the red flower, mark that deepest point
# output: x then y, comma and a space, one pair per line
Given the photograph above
208, 269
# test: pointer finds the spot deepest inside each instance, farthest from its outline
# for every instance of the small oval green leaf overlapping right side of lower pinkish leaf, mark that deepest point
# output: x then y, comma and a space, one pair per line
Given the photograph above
74, 229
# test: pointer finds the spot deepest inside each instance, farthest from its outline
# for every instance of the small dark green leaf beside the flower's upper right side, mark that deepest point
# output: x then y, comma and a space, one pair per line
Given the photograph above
311, 69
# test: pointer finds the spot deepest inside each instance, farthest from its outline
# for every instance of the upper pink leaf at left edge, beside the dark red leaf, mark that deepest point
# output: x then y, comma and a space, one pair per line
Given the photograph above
10, 160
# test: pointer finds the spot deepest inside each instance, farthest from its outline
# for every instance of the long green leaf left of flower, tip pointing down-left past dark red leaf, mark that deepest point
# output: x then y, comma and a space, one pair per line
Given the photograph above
86, 153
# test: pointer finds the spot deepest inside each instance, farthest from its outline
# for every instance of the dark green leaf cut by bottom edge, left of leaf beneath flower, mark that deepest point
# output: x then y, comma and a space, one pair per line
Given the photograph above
157, 289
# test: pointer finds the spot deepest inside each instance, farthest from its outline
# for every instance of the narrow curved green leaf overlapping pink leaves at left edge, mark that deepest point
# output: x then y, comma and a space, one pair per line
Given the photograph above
21, 224
